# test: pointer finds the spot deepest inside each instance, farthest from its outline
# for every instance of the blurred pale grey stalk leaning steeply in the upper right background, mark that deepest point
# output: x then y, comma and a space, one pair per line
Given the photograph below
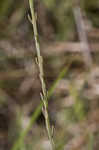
82, 36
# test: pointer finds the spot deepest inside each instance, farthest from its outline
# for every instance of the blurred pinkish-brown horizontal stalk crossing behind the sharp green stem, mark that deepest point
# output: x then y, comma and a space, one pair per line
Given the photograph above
56, 48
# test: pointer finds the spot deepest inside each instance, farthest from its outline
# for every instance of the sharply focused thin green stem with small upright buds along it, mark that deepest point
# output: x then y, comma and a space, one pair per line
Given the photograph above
41, 74
